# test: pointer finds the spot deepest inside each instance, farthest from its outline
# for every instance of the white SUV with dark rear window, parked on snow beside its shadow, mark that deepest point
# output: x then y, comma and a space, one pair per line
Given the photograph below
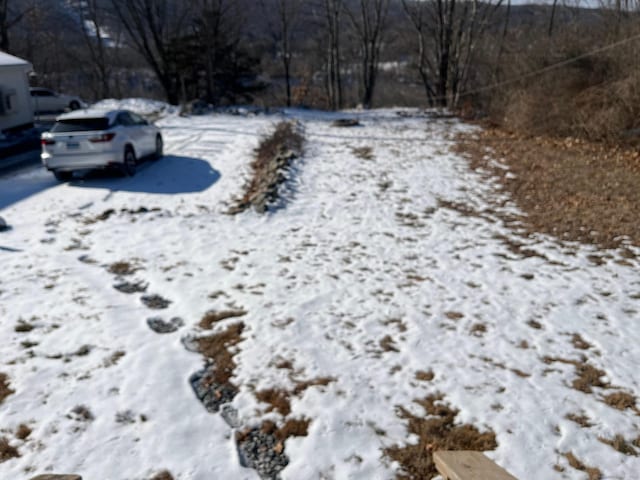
89, 139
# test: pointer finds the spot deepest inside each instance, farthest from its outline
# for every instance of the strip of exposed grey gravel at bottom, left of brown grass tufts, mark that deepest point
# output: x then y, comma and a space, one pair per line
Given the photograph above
257, 449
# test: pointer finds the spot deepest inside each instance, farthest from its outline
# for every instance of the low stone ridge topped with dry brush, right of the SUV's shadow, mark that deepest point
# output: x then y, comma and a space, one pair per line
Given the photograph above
273, 162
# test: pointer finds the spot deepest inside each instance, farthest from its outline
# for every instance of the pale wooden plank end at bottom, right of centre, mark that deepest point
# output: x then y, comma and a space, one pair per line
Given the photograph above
468, 465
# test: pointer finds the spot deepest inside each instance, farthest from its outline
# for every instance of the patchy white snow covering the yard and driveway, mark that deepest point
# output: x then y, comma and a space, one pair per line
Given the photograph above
364, 249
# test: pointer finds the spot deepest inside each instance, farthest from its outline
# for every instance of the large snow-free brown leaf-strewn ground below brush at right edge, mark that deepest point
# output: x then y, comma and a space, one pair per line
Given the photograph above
568, 188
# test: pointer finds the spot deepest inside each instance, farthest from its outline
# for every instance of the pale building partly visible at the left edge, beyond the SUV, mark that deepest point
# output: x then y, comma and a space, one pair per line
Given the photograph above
16, 110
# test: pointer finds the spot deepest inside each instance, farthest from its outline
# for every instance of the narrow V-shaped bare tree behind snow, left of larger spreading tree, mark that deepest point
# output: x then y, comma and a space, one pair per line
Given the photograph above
369, 21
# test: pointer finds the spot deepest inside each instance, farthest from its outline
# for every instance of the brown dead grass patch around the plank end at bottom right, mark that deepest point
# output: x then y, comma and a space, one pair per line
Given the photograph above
436, 431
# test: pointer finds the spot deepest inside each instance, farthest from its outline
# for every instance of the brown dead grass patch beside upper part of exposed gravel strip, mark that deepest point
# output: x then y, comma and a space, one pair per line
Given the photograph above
218, 348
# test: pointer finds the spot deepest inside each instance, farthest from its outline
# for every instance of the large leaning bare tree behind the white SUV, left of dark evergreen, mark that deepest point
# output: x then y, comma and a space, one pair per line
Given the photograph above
153, 26
